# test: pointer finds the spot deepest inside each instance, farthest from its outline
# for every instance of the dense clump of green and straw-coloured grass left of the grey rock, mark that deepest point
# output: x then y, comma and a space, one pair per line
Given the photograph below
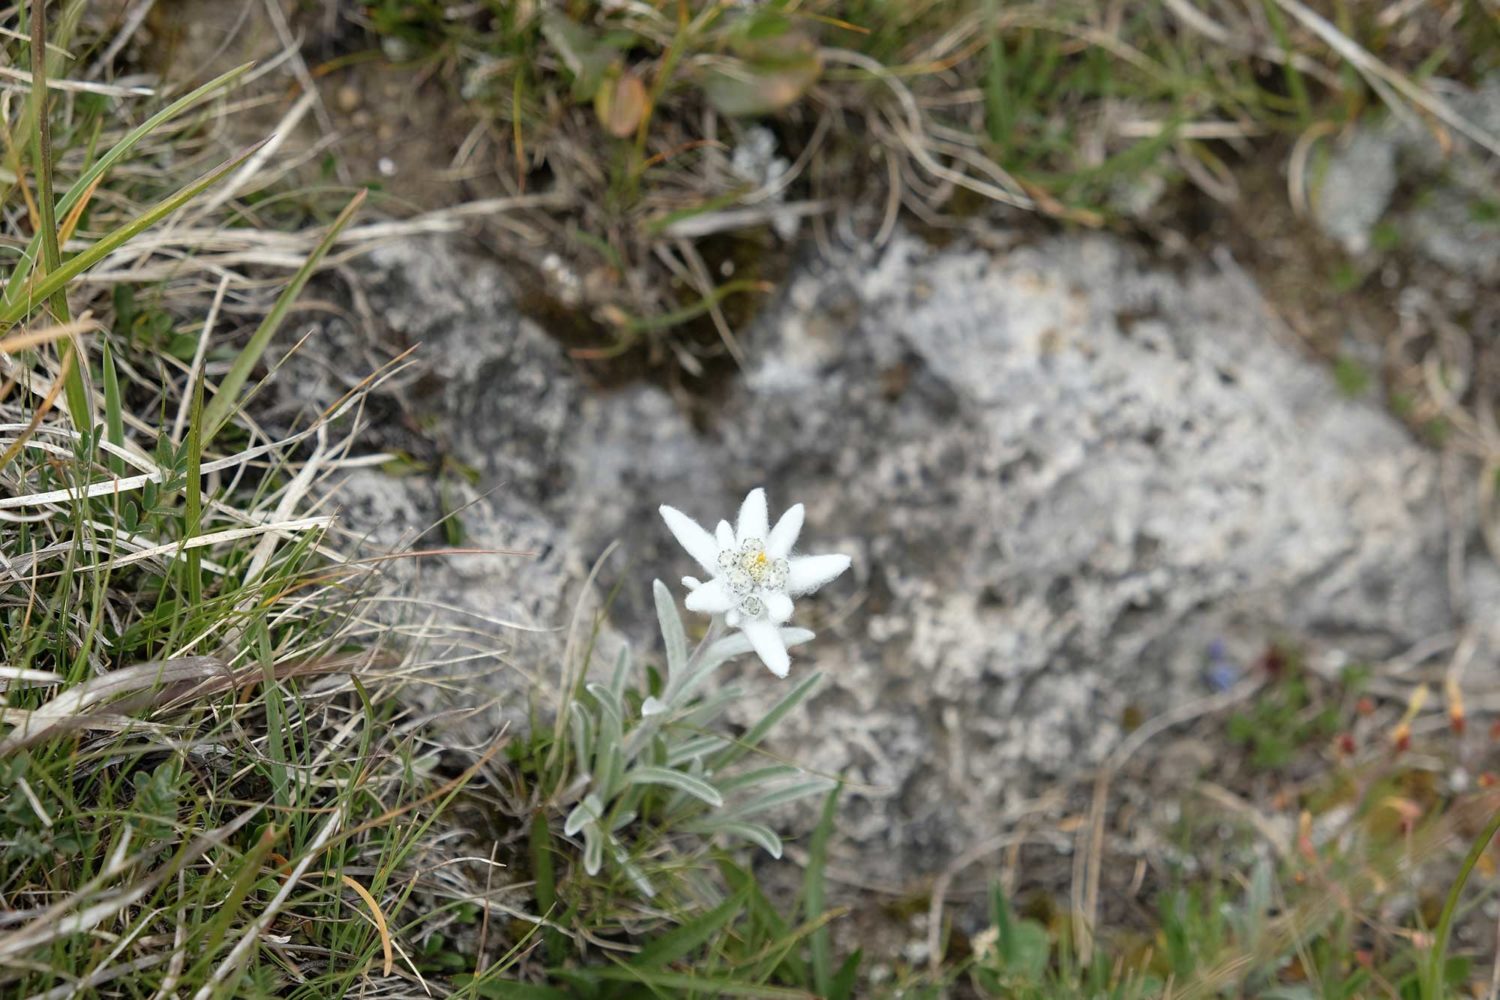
211, 786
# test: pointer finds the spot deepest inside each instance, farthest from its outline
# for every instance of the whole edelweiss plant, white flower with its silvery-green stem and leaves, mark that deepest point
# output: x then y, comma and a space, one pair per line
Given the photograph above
647, 755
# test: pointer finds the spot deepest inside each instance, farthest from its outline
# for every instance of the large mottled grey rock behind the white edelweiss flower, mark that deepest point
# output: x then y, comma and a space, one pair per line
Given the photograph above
1061, 473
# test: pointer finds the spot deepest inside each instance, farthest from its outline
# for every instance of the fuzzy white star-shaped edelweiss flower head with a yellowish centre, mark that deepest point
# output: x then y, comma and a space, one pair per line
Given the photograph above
754, 573
